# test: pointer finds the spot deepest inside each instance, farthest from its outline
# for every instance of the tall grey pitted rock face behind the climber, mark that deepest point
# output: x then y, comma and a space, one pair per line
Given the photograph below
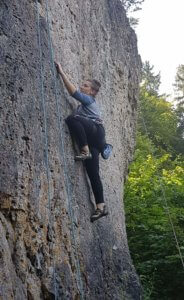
48, 247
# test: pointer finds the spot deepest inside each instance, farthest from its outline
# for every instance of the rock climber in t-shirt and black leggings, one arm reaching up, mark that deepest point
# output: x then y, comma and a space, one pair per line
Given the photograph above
85, 125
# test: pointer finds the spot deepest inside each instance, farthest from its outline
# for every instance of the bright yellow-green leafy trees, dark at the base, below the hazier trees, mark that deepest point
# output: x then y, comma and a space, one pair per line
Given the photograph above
149, 231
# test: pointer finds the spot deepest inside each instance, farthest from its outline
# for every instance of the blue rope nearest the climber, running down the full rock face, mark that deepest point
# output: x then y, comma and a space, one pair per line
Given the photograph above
63, 157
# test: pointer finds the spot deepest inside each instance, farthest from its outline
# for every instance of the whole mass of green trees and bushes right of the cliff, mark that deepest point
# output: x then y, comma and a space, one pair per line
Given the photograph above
156, 184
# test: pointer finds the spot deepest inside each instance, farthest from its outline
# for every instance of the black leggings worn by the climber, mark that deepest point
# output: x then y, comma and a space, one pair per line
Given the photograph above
86, 132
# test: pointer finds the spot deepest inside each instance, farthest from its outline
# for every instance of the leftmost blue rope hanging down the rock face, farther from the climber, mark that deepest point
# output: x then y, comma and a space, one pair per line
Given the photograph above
46, 132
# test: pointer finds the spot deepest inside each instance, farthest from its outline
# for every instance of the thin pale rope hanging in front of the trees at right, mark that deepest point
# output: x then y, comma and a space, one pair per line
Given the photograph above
165, 200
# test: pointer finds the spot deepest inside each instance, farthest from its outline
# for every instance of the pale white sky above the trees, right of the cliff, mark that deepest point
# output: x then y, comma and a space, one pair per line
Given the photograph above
161, 38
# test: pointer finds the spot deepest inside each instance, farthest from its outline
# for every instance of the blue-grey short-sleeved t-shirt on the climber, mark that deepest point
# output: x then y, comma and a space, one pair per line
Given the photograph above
88, 107
